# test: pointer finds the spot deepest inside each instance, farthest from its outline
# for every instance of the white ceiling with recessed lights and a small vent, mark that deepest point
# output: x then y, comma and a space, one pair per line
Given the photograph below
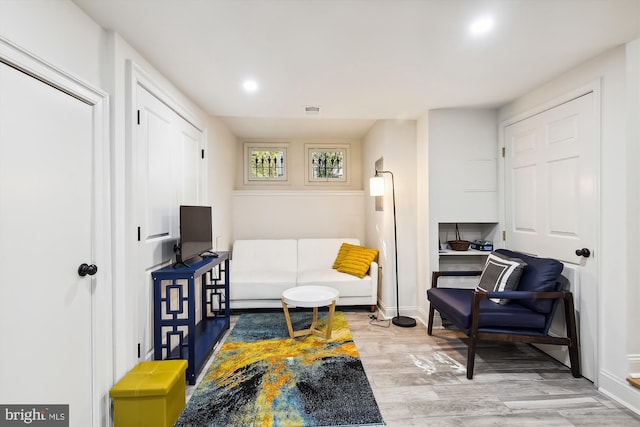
359, 60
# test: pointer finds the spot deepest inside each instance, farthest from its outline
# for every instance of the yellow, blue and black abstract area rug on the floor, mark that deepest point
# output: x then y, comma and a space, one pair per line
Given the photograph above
261, 377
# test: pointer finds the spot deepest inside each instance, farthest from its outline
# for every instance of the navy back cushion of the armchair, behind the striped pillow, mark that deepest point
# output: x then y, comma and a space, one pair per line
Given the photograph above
541, 275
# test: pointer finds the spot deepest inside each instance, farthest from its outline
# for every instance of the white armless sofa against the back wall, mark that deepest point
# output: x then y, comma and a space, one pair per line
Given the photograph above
262, 269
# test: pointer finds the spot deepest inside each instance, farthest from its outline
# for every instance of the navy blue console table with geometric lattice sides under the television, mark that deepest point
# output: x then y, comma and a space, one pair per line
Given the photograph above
190, 310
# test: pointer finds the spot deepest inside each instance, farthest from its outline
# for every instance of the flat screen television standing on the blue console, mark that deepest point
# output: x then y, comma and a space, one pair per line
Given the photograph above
195, 232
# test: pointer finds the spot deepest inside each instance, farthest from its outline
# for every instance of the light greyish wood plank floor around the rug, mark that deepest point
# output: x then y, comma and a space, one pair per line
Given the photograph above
420, 380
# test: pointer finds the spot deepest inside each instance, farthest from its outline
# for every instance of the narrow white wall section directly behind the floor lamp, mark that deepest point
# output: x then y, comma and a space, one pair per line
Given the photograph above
395, 141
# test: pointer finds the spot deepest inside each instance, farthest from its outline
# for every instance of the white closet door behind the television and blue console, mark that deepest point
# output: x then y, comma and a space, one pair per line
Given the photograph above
168, 172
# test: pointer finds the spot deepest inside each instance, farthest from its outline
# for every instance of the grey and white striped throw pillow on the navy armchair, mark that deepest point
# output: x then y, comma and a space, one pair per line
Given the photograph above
501, 273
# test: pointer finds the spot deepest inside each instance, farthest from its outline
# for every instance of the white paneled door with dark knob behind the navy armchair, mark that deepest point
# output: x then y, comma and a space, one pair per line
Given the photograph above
551, 202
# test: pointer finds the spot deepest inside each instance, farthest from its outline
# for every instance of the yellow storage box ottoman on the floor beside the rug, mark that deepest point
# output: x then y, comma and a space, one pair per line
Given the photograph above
151, 394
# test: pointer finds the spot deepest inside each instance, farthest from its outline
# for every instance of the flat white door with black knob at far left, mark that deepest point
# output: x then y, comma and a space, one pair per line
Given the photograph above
46, 198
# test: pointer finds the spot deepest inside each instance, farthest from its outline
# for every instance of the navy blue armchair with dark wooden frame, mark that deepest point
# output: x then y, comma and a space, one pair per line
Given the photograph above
524, 315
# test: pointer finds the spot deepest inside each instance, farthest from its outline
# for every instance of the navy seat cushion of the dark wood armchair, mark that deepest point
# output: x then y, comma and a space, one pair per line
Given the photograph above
455, 306
